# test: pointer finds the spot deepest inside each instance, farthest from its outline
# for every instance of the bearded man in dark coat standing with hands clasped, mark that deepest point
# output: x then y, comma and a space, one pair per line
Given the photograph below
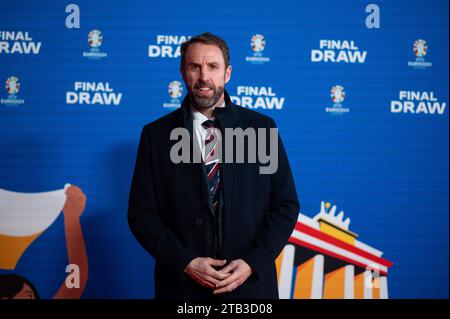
214, 226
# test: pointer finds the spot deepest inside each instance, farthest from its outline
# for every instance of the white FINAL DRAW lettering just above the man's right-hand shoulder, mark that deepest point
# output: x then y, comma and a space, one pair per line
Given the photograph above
254, 97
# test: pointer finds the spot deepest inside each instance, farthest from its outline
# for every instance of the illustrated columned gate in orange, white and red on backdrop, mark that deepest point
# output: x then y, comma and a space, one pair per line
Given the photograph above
324, 259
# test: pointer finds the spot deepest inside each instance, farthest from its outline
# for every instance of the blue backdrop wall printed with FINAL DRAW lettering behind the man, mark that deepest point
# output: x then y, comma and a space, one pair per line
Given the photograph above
386, 167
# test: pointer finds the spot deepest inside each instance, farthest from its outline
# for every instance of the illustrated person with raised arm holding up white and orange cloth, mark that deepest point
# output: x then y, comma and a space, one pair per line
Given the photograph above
23, 218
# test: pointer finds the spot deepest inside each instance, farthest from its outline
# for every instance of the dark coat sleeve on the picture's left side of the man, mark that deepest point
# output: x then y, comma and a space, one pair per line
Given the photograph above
144, 218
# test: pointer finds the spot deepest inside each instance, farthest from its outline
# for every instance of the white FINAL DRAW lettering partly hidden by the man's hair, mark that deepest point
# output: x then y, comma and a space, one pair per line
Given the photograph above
167, 46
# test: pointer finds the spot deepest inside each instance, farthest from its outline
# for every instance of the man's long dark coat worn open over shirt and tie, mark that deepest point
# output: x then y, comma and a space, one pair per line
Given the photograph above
170, 211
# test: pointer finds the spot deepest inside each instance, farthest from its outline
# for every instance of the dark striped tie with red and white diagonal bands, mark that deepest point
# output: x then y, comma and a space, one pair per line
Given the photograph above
212, 149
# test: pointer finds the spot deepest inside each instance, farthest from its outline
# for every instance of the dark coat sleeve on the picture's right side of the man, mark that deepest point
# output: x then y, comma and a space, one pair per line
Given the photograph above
280, 219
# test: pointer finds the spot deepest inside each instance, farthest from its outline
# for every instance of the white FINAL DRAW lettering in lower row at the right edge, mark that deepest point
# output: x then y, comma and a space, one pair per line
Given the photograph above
417, 102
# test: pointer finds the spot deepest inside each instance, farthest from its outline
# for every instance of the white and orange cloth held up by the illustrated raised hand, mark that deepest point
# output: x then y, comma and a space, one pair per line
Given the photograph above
23, 218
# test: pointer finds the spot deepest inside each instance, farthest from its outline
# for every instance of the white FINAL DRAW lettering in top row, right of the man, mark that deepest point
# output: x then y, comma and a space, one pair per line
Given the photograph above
337, 51
